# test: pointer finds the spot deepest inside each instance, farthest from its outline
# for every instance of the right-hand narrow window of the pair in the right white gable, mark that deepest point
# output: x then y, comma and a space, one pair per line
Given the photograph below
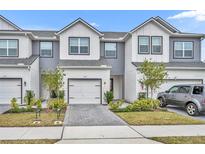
156, 44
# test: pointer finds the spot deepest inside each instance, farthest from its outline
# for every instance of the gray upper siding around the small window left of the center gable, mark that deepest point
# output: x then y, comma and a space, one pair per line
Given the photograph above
47, 63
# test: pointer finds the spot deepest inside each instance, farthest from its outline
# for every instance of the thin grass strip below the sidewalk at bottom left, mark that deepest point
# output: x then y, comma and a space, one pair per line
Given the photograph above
42, 141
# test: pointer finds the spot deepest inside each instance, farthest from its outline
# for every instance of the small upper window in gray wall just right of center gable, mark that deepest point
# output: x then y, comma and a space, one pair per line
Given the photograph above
110, 50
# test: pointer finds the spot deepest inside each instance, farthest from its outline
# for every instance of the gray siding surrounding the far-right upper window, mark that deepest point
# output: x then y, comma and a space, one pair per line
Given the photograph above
197, 50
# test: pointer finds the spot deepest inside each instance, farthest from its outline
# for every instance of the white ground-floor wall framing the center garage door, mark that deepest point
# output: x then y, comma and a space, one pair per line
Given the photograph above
103, 74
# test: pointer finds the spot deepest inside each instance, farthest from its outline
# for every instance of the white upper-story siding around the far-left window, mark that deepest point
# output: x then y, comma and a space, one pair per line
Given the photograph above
25, 44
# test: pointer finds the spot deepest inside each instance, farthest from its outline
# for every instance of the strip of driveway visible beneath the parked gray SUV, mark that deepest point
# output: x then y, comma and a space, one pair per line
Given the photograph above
182, 111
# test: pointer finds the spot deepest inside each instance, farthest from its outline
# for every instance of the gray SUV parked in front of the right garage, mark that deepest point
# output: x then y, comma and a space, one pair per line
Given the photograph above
189, 96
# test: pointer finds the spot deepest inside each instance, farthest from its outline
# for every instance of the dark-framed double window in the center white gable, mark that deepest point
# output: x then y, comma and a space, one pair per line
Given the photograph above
79, 45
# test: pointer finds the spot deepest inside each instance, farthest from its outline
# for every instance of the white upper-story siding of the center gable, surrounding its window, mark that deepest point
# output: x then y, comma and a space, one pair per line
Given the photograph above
80, 30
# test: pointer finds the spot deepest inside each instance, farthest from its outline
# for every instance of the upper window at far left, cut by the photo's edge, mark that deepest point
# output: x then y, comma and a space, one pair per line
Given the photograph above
8, 48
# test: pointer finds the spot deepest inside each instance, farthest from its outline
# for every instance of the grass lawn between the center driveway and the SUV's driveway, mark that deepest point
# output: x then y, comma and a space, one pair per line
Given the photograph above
157, 118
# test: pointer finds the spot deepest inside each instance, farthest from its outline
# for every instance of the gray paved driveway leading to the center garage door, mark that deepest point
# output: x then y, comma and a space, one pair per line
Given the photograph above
91, 115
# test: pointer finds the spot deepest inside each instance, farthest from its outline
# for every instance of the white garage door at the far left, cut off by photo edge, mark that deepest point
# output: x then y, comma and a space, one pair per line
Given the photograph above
10, 88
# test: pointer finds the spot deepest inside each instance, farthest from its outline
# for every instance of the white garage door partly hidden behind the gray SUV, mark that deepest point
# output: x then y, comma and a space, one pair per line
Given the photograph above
171, 82
